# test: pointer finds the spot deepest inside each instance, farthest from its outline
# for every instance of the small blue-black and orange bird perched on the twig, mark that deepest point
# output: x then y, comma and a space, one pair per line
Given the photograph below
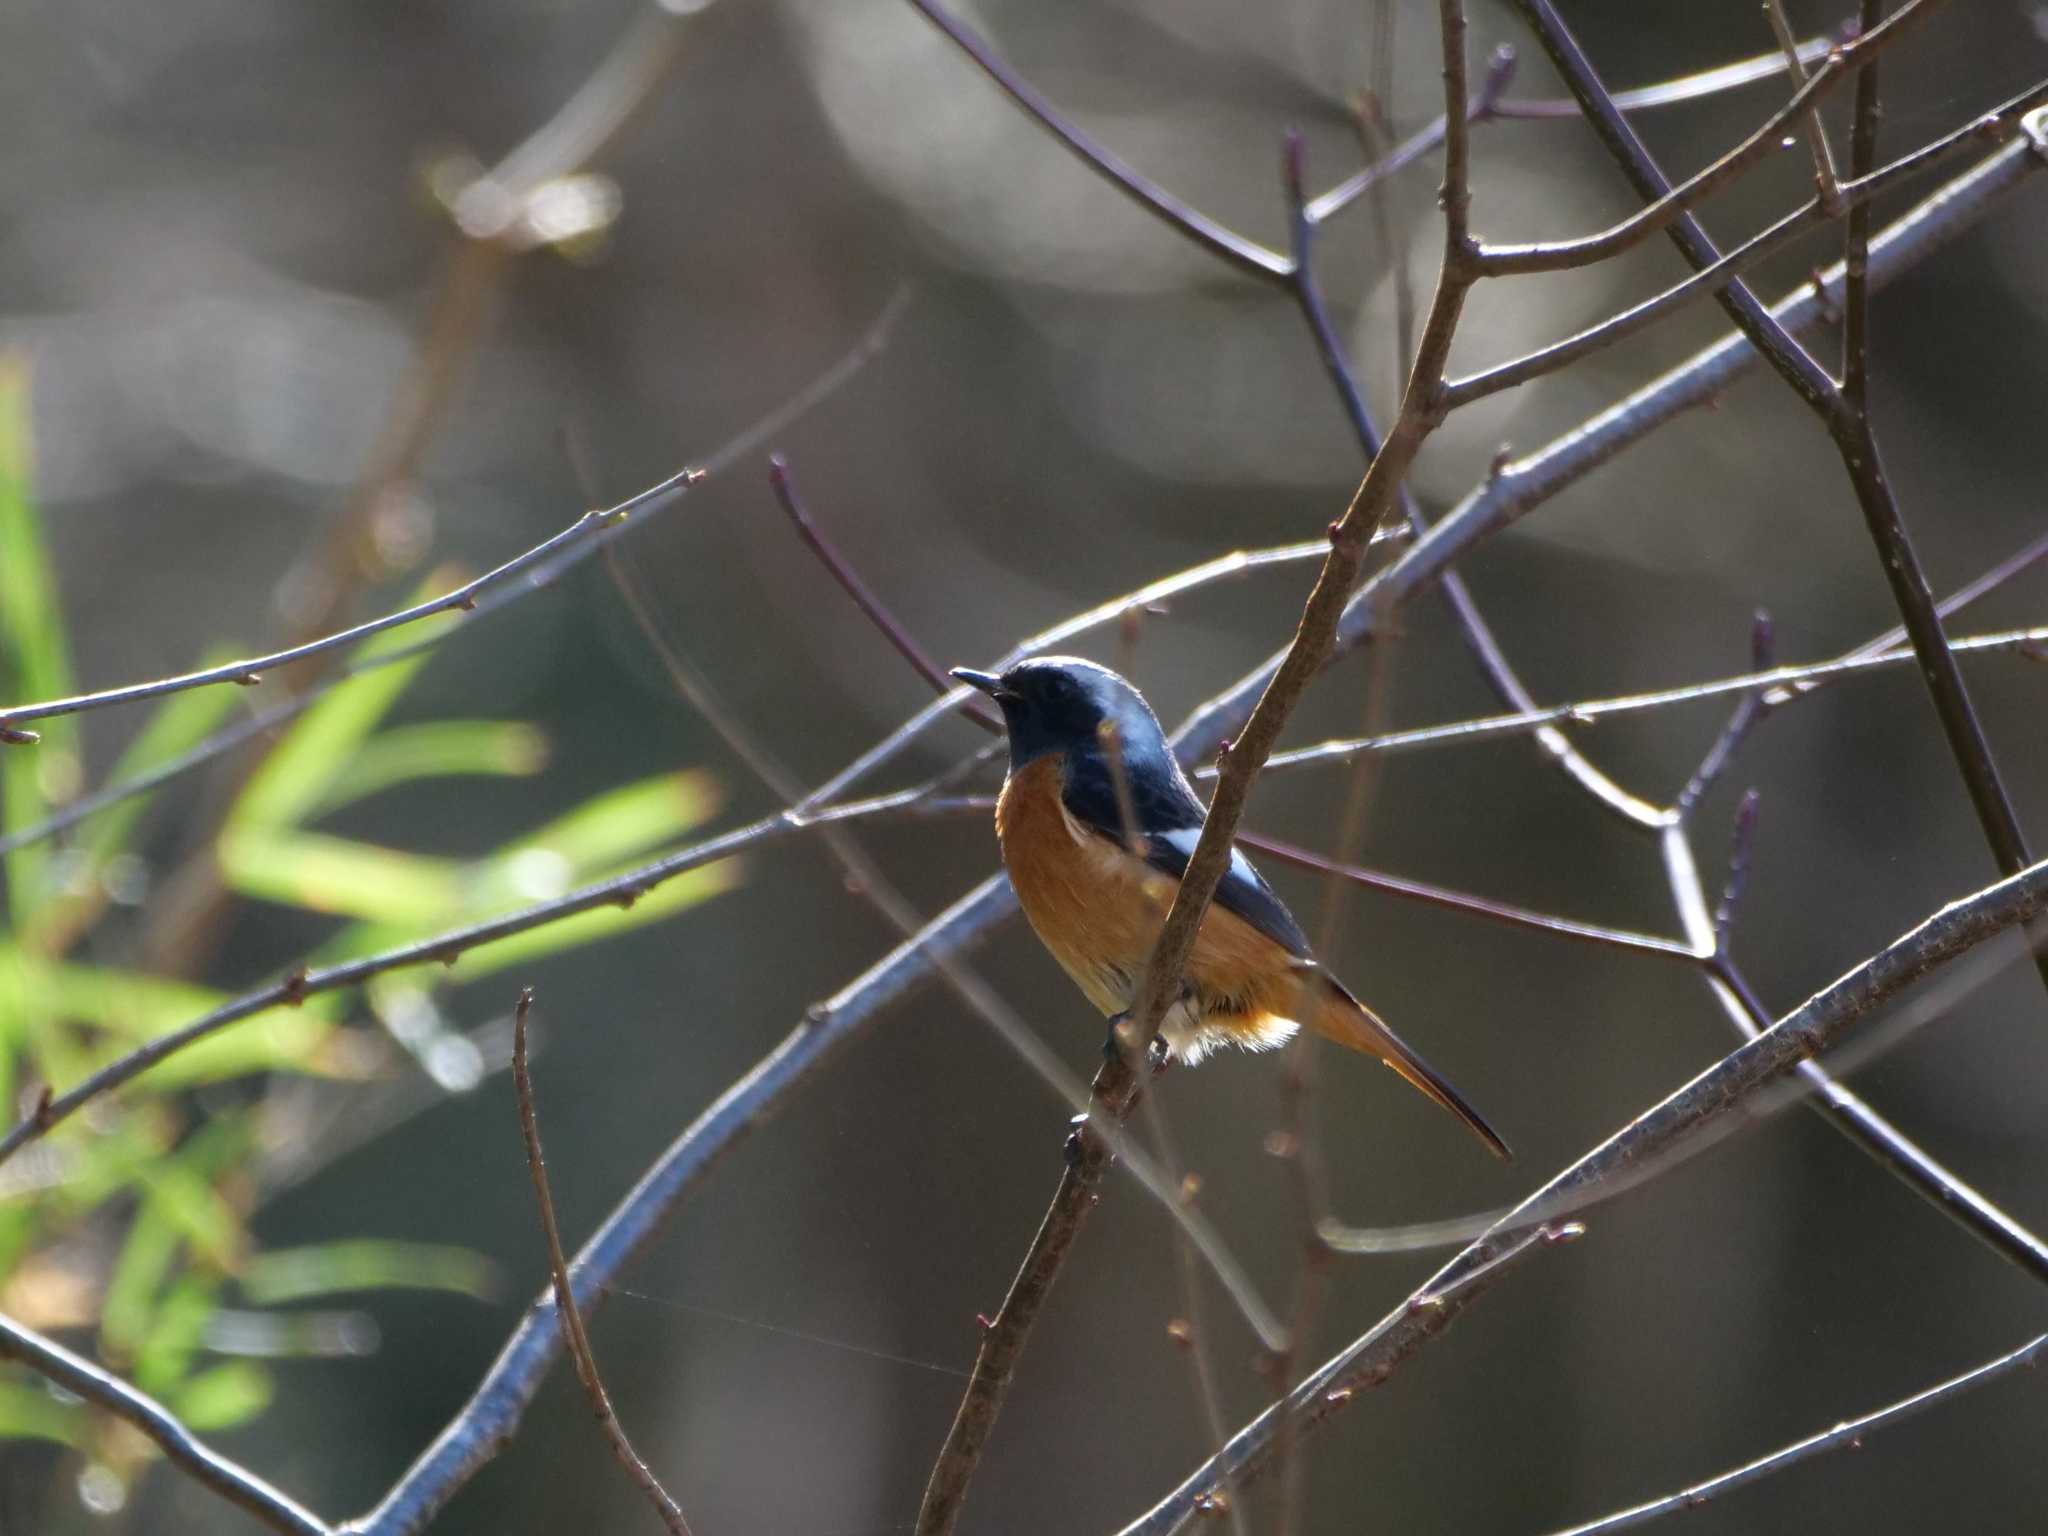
1099, 824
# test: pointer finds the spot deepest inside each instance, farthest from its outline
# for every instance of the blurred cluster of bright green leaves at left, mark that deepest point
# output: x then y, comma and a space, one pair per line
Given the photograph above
134, 1224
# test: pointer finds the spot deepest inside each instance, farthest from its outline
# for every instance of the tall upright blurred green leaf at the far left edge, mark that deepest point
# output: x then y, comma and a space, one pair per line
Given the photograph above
34, 654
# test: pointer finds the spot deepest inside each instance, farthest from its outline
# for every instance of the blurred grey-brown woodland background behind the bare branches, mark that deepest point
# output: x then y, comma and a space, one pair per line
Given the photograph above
271, 390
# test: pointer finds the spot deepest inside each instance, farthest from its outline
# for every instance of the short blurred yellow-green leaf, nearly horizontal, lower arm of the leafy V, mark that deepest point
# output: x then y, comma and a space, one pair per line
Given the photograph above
335, 876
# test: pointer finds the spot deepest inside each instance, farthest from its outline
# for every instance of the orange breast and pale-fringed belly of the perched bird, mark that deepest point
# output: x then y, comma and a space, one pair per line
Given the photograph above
1101, 908
